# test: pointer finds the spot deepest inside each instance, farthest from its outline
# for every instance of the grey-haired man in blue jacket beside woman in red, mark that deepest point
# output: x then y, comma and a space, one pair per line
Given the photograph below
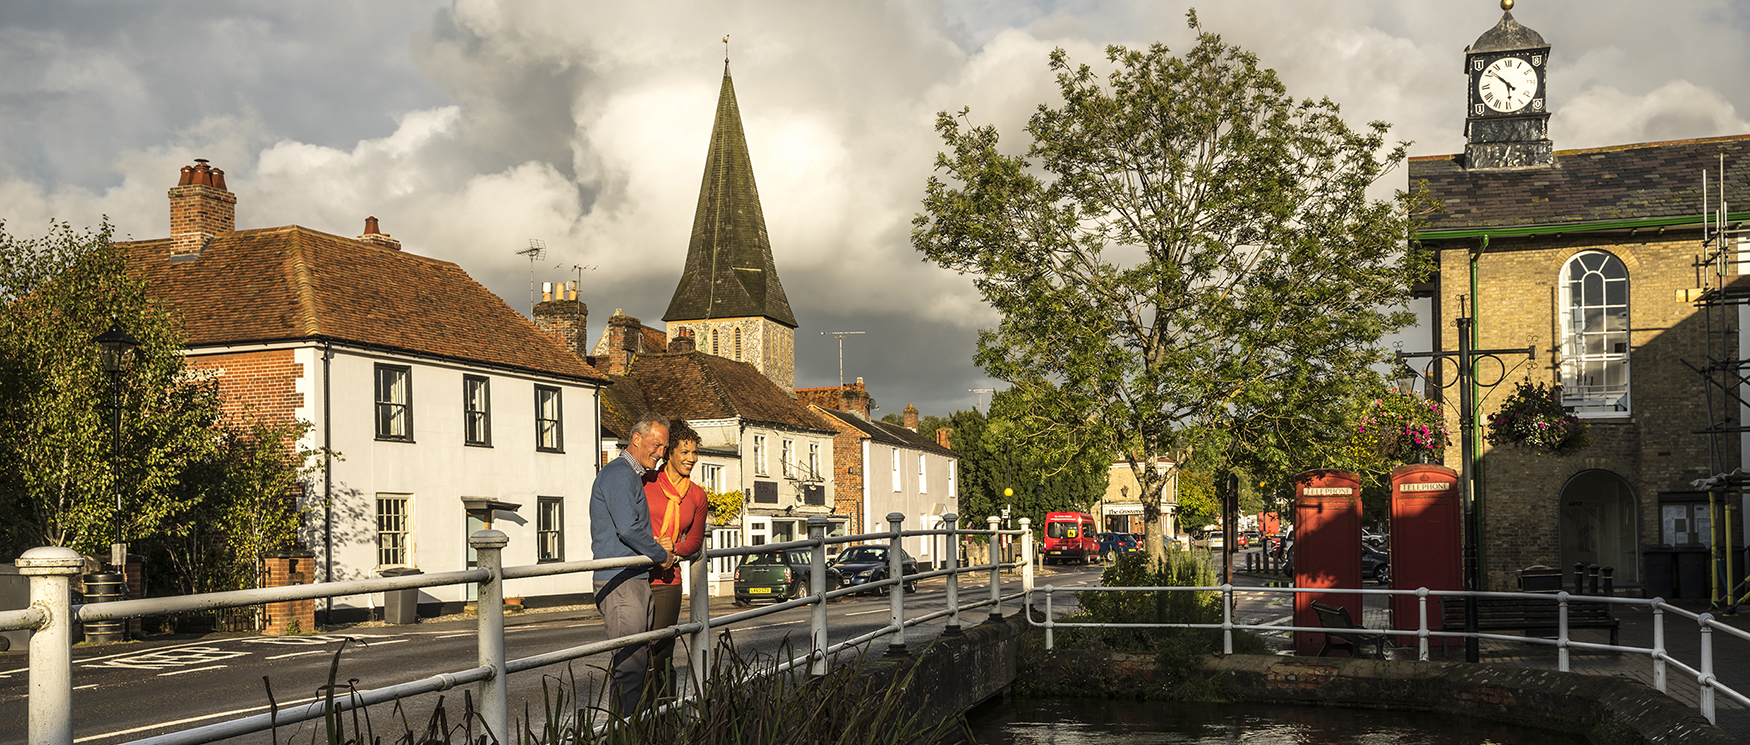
620, 526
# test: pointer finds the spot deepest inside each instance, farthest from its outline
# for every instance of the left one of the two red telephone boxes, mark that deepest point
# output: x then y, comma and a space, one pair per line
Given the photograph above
1327, 547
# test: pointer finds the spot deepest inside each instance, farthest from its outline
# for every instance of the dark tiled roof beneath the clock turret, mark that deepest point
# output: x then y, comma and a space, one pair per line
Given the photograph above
1602, 185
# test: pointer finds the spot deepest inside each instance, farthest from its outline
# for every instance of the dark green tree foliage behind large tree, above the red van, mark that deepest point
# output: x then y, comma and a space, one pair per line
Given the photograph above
1004, 454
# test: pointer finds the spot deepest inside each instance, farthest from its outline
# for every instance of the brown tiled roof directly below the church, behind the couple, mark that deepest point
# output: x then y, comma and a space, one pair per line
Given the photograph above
696, 386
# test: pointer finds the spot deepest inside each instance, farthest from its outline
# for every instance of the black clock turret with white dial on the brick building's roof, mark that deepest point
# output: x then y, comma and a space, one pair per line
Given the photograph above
1508, 113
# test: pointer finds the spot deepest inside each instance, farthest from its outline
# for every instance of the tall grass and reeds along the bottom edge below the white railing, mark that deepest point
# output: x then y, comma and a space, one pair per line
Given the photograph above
746, 702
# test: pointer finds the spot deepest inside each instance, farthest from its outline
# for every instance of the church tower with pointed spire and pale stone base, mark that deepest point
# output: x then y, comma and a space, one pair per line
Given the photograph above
729, 295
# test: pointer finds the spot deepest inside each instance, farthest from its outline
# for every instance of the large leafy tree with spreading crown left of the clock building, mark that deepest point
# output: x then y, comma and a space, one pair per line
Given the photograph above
1184, 260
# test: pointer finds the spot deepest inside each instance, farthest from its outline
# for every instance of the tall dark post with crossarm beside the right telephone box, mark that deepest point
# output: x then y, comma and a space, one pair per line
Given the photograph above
1467, 424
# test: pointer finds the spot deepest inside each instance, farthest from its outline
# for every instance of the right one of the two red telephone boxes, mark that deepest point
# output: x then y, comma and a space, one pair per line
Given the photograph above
1427, 548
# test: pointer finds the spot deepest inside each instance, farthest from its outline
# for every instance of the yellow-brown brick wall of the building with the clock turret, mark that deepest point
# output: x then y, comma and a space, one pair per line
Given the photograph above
1655, 450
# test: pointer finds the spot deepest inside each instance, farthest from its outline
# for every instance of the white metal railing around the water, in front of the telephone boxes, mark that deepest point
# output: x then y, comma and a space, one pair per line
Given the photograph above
1658, 655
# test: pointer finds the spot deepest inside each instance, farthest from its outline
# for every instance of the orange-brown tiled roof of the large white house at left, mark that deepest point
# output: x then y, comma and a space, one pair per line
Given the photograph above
283, 284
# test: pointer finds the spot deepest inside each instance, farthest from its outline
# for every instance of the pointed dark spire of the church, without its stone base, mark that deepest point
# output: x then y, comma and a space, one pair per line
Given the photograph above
729, 260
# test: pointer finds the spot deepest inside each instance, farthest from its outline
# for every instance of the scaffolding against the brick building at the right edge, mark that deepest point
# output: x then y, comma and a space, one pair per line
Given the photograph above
1723, 300
